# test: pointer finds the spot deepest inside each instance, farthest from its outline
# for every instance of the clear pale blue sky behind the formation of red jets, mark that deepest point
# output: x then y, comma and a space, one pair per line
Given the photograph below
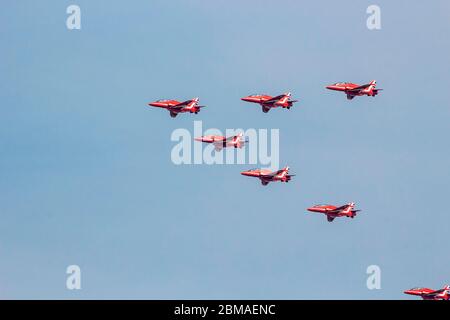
86, 176
